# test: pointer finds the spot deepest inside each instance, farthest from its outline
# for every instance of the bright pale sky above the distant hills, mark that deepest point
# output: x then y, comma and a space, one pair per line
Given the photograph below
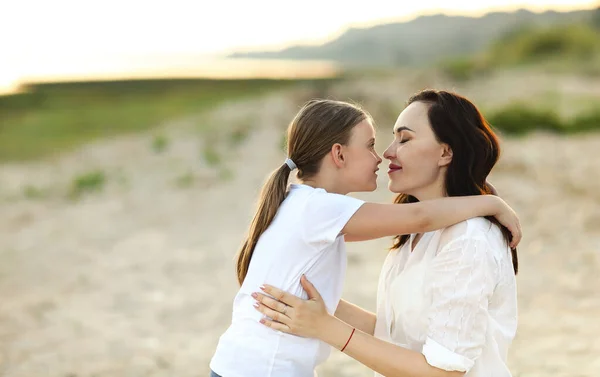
41, 36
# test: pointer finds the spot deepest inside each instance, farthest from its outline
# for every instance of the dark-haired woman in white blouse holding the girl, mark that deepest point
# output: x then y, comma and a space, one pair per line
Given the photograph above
446, 301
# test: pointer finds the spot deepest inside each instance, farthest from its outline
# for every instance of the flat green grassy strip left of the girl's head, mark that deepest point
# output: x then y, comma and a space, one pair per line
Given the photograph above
50, 118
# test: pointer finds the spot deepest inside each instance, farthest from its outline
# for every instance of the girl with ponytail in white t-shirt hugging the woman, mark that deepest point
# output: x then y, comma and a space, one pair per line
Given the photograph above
301, 232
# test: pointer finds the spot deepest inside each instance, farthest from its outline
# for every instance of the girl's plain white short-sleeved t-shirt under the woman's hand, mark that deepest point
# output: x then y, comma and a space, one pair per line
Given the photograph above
304, 238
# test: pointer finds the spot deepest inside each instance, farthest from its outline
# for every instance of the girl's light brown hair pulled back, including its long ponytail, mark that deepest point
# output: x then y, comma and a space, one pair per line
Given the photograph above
318, 126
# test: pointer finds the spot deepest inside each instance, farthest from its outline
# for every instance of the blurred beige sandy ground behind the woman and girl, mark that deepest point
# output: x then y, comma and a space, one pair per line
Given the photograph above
138, 279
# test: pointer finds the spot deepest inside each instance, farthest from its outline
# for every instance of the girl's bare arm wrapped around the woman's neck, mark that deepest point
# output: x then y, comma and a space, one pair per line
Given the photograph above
373, 220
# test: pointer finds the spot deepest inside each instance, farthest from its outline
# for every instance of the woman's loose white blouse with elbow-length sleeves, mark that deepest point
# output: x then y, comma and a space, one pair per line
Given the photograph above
453, 298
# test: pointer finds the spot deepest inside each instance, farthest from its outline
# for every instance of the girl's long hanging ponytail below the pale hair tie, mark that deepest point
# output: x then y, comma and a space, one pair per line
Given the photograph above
272, 195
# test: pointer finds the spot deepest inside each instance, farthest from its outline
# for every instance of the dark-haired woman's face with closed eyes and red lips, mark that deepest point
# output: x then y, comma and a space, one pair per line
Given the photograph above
418, 162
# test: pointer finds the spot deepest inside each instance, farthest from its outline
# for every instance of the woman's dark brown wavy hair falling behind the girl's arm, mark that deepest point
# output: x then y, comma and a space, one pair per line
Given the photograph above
457, 122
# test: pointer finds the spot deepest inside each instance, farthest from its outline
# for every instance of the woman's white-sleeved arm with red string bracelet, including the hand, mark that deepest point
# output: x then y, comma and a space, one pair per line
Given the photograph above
457, 317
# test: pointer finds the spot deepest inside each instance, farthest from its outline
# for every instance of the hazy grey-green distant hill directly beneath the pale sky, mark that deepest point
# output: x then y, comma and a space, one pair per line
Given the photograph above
426, 39
